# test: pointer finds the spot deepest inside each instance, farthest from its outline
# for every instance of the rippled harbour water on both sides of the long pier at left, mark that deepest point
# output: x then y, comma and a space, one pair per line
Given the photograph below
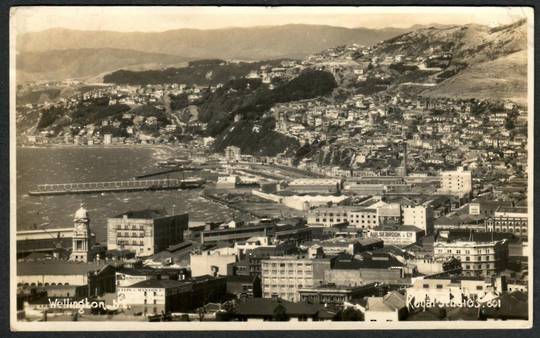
90, 164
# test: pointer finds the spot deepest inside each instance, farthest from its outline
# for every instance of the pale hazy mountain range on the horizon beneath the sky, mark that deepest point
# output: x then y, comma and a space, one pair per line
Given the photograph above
57, 54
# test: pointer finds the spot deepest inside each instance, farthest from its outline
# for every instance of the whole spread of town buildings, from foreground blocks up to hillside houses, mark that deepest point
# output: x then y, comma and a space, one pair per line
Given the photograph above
426, 203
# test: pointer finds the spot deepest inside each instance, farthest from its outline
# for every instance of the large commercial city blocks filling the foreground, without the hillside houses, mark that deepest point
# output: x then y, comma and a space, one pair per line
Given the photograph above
379, 255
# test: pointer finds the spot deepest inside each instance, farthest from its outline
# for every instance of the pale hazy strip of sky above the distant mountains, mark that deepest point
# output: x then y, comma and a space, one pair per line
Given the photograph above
152, 19
